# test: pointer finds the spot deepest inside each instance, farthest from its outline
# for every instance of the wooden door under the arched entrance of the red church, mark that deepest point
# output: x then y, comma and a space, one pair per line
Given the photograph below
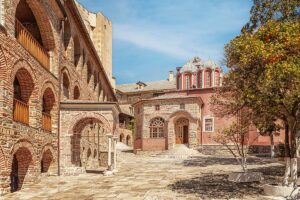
182, 131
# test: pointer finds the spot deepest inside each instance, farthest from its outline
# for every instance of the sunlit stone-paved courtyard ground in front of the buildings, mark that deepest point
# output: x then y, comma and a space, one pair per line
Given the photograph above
154, 178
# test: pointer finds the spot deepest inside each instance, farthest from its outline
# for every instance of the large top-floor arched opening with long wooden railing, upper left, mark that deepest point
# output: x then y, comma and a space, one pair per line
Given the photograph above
33, 30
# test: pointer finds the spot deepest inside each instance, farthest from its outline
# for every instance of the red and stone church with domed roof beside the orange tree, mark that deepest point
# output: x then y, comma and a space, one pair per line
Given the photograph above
183, 115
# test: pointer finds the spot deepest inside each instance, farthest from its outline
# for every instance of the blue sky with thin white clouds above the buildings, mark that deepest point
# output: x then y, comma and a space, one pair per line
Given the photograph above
152, 37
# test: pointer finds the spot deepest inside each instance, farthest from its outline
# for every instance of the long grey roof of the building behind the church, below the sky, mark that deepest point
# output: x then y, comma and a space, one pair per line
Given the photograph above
149, 86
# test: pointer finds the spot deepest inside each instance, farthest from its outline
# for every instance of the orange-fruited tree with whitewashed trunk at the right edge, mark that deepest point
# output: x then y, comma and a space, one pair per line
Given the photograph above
264, 76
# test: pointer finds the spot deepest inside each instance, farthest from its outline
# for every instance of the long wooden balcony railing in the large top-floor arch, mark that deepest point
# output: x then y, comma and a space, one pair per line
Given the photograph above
25, 38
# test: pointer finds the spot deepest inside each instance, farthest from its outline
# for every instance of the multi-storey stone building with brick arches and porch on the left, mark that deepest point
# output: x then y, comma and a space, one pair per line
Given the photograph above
57, 102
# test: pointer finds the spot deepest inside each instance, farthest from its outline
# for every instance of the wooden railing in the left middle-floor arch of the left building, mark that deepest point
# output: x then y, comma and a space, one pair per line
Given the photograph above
21, 112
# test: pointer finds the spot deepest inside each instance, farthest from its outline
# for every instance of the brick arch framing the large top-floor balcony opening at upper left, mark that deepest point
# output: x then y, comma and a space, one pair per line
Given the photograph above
41, 15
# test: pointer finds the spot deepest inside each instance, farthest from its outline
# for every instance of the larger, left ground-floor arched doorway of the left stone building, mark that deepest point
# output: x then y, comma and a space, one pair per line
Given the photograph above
21, 163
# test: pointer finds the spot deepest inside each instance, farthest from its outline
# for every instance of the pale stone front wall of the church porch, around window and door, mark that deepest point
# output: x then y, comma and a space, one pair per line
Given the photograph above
171, 111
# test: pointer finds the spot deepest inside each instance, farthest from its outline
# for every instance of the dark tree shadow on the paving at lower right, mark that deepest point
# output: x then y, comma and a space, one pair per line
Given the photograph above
216, 186
